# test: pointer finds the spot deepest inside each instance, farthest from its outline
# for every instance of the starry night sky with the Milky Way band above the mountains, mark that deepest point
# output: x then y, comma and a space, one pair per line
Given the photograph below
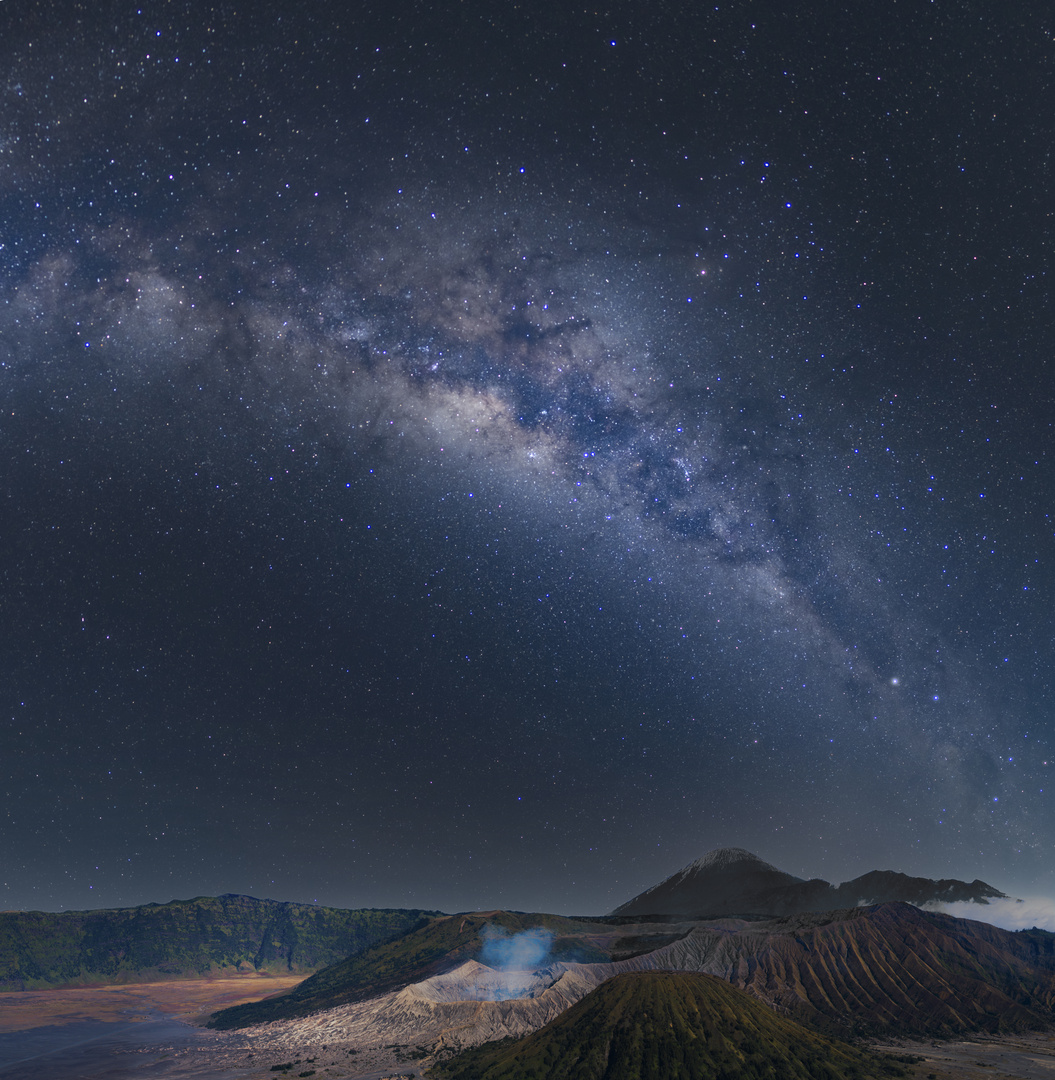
465, 455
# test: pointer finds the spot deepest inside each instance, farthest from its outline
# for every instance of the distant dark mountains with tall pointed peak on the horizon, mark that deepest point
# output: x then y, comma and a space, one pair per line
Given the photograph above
734, 882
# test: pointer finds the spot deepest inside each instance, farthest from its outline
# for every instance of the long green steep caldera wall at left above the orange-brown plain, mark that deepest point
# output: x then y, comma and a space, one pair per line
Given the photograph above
185, 939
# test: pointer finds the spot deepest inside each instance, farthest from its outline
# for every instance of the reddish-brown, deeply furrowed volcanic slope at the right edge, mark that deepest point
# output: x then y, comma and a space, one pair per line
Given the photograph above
896, 969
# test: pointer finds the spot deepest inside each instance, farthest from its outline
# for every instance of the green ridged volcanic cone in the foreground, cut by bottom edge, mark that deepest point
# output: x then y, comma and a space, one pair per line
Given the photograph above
668, 1027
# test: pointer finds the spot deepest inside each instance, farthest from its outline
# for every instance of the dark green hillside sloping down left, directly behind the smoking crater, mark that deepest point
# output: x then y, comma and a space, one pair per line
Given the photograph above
436, 946
